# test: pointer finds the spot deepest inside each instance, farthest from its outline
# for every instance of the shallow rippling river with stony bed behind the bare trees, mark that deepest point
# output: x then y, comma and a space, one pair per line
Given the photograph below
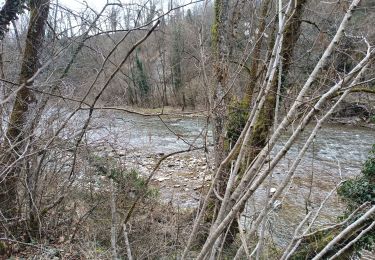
337, 154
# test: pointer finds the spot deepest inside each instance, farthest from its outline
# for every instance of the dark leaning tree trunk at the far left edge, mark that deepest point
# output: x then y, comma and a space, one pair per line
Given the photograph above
17, 131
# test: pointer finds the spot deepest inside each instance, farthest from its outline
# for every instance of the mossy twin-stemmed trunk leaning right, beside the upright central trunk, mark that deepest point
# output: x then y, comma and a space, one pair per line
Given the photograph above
266, 117
